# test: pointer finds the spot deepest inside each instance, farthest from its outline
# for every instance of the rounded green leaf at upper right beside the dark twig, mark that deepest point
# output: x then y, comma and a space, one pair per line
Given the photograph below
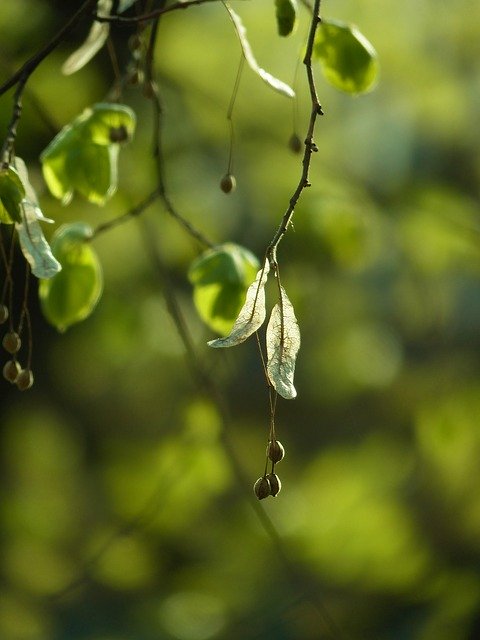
349, 62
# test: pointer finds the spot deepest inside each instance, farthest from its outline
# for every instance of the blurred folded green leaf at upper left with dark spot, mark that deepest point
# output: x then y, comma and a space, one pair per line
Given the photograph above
83, 156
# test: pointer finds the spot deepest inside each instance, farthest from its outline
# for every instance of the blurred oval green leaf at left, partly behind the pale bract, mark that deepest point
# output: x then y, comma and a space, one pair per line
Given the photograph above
72, 294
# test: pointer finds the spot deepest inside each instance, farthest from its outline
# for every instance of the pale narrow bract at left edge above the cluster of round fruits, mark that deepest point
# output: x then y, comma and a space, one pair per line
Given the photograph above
33, 244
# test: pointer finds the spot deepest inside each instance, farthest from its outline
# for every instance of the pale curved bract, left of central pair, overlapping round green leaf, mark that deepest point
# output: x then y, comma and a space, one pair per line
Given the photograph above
252, 314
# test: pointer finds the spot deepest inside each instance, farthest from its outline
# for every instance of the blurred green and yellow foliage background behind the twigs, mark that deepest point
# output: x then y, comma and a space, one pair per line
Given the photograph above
121, 515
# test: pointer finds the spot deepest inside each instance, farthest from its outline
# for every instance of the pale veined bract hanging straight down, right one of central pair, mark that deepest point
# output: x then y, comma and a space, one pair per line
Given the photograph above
283, 343
